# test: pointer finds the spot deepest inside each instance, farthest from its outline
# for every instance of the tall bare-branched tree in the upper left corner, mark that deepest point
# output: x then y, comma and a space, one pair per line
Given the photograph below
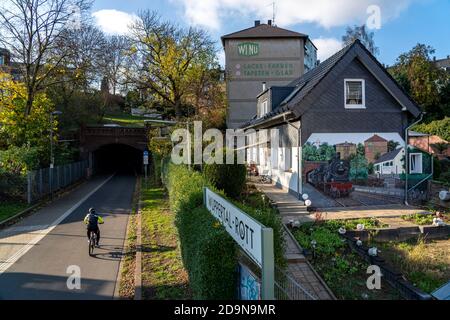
30, 30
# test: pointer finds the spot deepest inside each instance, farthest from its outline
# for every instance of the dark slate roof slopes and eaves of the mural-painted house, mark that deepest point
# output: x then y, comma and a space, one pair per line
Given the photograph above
312, 78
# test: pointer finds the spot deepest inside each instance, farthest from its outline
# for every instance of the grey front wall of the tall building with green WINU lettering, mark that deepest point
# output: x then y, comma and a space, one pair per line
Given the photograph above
278, 62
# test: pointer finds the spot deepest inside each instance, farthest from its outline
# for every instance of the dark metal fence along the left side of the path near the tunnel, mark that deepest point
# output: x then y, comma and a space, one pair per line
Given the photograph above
42, 182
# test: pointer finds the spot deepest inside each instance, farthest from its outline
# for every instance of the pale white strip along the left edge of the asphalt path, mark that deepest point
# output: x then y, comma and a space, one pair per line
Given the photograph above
11, 260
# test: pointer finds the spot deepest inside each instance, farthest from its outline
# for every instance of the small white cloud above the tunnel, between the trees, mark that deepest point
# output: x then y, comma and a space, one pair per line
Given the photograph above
113, 22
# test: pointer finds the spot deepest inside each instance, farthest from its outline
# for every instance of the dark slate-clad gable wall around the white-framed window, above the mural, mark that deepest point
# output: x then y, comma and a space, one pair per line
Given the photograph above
326, 113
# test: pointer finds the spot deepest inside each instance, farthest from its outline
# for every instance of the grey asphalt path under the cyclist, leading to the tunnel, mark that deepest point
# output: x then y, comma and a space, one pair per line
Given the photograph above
45, 271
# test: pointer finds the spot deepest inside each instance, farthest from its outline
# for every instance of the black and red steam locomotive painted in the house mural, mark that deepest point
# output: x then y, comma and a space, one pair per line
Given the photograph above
332, 178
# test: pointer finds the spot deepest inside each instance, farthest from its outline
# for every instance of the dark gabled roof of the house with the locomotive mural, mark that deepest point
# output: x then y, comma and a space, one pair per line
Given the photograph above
306, 83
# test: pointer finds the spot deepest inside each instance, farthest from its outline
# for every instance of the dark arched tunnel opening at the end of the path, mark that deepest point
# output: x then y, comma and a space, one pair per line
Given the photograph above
119, 158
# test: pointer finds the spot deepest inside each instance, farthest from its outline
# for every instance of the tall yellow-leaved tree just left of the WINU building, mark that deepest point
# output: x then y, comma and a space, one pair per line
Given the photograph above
167, 60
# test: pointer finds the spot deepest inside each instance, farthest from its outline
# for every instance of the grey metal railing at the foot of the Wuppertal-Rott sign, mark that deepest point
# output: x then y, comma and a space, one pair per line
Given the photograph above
286, 288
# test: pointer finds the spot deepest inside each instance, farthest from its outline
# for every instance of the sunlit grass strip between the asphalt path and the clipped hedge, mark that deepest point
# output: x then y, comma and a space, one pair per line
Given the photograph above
163, 274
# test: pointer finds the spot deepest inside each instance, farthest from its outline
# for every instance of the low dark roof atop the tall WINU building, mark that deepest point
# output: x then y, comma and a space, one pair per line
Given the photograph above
263, 31
